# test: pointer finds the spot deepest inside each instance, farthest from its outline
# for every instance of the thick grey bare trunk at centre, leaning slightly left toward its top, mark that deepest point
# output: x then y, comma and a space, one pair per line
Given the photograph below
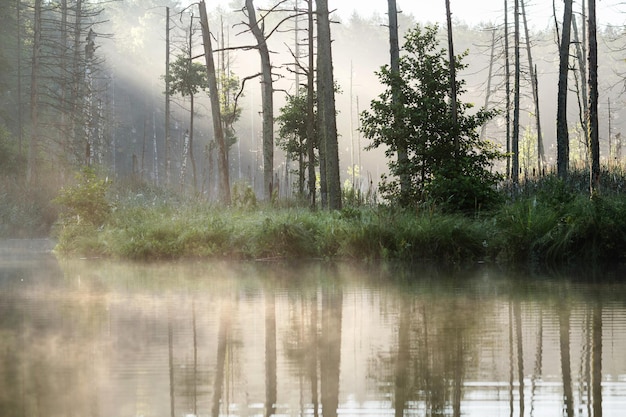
326, 105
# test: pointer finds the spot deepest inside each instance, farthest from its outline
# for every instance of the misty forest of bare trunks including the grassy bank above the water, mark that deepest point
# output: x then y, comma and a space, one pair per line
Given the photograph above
367, 137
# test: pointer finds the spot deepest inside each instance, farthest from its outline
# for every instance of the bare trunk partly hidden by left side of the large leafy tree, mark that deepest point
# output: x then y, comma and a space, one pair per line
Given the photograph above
394, 51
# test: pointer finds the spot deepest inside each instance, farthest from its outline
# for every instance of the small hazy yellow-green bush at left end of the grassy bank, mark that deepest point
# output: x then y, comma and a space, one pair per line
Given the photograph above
86, 201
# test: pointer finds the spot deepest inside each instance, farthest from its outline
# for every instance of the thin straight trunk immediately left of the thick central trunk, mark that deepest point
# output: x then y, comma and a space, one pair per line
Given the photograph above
310, 120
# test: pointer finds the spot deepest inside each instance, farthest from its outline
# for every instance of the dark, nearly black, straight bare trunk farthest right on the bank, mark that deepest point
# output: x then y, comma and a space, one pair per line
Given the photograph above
594, 141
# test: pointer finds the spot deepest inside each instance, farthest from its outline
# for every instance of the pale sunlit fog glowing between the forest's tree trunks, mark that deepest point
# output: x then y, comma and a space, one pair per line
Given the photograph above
135, 59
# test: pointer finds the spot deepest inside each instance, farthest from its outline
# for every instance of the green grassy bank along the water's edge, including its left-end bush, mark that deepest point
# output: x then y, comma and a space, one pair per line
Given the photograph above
545, 221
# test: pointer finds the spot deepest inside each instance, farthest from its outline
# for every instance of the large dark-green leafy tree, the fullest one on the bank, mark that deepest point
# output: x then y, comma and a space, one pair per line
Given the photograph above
447, 162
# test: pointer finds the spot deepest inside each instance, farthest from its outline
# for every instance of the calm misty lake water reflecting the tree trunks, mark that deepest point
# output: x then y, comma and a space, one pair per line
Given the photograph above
102, 338
